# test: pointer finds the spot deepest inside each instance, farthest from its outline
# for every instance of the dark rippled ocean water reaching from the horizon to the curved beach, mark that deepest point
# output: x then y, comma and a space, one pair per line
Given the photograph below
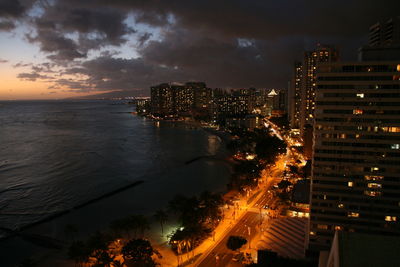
57, 155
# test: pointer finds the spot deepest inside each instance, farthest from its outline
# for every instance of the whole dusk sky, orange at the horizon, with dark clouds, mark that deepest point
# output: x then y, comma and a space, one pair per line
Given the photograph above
52, 49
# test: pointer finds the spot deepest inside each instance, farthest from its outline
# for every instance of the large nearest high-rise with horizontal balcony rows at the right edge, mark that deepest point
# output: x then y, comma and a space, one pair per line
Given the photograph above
356, 166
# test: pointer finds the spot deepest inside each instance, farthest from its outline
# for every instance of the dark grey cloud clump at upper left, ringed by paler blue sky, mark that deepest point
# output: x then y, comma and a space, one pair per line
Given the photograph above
69, 31
